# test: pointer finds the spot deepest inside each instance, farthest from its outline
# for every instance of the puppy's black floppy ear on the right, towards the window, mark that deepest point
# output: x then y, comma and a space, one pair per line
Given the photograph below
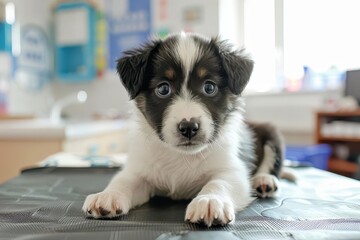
236, 66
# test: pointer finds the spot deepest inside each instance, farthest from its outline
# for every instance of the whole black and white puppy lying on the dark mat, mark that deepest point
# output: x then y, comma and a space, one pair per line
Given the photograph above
189, 139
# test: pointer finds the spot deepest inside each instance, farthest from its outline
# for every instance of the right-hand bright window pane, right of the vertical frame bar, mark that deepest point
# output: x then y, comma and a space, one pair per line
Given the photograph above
320, 37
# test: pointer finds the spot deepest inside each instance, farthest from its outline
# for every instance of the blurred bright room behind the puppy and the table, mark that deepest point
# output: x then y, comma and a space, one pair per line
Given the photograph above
59, 91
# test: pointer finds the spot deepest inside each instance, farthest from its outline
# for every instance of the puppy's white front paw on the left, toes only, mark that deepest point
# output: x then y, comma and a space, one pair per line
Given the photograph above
106, 204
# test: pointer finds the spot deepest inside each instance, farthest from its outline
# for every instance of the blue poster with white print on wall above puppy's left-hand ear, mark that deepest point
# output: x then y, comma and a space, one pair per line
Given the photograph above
129, 25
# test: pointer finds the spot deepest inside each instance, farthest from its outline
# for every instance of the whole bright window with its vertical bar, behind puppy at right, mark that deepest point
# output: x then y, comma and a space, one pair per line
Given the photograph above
301, 44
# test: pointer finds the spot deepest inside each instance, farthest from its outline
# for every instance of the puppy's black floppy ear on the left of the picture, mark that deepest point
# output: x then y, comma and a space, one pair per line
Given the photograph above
134, 68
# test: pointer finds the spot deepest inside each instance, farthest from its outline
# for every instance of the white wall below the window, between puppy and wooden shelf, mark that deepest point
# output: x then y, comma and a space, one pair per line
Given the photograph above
293, 113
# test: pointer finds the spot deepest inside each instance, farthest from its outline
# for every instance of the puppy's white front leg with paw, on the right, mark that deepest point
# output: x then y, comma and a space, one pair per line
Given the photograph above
219, 199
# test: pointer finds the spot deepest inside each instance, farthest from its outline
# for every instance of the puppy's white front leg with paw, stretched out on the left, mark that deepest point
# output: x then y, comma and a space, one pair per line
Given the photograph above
122, 194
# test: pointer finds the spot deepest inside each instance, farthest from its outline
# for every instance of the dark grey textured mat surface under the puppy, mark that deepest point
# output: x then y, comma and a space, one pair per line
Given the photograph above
46, 204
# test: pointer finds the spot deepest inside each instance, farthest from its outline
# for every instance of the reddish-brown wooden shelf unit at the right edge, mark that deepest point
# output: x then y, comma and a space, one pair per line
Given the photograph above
336, 164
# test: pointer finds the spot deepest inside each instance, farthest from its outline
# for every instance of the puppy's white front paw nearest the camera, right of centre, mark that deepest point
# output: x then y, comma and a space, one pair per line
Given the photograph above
210, 210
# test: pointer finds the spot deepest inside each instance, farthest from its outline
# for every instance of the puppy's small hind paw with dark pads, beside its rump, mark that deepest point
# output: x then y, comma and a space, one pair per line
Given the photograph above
265, 185
